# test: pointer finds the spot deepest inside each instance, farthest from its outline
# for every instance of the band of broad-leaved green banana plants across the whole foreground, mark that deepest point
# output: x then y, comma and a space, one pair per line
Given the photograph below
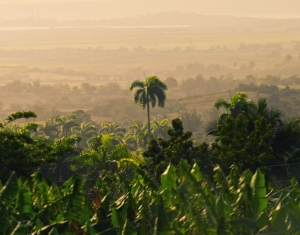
185, 202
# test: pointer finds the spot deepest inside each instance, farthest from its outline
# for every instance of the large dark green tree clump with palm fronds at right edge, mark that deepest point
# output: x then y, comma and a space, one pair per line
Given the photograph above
251, 135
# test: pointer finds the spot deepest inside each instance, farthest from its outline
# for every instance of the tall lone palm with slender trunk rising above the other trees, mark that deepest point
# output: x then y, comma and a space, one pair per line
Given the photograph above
151, 91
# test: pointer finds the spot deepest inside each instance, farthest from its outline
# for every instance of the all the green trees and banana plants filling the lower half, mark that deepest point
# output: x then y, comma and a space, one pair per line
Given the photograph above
88, 178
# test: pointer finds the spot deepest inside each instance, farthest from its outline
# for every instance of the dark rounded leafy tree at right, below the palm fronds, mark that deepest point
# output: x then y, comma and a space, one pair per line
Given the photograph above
235, 144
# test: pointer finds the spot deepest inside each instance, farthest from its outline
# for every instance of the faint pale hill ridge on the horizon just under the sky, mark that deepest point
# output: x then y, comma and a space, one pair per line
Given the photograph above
214, 22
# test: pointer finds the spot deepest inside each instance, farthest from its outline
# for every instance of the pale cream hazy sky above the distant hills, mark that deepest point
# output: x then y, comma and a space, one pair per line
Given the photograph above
103, 9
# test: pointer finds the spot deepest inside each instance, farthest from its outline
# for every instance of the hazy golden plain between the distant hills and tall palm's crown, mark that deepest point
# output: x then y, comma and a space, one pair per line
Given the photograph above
119, 54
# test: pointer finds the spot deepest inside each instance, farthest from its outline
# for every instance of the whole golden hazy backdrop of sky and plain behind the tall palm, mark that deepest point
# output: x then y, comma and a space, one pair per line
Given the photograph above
62, 55
